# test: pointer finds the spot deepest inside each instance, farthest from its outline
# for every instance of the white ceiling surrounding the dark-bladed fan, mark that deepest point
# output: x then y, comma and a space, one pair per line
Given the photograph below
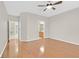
17, 7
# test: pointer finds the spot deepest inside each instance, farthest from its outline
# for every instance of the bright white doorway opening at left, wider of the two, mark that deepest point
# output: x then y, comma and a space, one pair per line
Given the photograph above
13, 29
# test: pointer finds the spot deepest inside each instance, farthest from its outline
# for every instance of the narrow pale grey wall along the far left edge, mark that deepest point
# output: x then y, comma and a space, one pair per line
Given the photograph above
3, 27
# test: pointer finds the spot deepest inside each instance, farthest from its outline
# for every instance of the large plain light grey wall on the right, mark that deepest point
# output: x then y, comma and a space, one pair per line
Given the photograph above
65, 26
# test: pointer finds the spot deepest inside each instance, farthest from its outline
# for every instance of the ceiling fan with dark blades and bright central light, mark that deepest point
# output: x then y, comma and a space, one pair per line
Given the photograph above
50, 5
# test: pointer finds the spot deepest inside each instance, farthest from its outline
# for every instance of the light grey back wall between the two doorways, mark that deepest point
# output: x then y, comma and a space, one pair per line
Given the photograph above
29, 26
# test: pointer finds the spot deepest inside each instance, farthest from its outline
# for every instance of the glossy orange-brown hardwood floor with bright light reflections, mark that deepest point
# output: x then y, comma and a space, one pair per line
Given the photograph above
46, 48
